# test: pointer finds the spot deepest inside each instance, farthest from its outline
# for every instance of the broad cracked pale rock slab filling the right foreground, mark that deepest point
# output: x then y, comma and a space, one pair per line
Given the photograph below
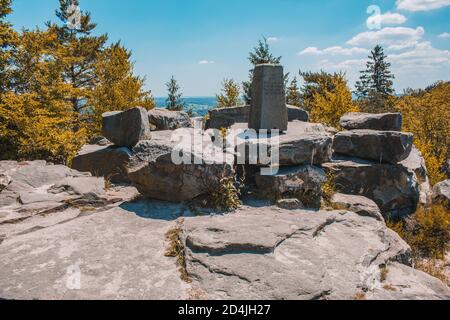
276, 254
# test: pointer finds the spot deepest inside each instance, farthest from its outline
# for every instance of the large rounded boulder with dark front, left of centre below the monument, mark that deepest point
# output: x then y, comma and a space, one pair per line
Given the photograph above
155, 173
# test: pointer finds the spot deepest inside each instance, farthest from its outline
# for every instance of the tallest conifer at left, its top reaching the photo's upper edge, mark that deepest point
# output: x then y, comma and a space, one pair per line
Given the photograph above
79, 51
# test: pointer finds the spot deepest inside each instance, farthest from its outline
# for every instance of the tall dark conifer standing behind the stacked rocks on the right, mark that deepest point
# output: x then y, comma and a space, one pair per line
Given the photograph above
375, 86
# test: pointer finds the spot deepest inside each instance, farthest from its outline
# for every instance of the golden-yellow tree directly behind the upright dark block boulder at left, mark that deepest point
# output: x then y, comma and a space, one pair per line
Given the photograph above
117, 88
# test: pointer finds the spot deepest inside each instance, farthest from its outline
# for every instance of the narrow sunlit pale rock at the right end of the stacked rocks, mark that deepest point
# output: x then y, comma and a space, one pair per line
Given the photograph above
416, 164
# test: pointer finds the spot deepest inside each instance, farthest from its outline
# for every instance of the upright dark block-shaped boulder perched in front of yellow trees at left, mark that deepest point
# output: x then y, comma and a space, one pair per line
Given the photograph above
126, 128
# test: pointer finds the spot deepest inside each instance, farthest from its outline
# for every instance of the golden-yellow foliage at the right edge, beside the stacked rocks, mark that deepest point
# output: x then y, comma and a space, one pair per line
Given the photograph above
426, 113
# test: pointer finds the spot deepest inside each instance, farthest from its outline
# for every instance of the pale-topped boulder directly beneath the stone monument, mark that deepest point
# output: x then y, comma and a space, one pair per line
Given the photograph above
303, 143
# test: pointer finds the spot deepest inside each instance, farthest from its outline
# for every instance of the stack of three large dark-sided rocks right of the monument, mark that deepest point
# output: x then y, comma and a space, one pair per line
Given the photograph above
373, 158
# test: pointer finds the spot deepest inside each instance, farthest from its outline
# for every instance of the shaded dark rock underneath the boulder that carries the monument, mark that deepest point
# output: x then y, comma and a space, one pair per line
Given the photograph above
304, 183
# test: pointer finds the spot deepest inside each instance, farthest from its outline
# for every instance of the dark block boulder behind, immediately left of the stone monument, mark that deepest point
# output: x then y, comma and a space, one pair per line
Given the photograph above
226, 117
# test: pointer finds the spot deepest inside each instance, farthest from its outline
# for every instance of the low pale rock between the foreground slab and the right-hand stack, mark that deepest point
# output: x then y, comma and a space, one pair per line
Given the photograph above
357, 204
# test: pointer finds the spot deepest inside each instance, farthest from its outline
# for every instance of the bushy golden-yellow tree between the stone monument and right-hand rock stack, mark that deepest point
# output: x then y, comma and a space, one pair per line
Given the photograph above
327, 97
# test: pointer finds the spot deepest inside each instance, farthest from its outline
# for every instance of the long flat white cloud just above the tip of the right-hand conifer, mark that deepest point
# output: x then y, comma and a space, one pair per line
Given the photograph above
387, 36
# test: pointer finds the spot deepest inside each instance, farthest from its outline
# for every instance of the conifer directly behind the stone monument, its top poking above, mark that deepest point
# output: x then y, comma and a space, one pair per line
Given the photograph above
261, 54
